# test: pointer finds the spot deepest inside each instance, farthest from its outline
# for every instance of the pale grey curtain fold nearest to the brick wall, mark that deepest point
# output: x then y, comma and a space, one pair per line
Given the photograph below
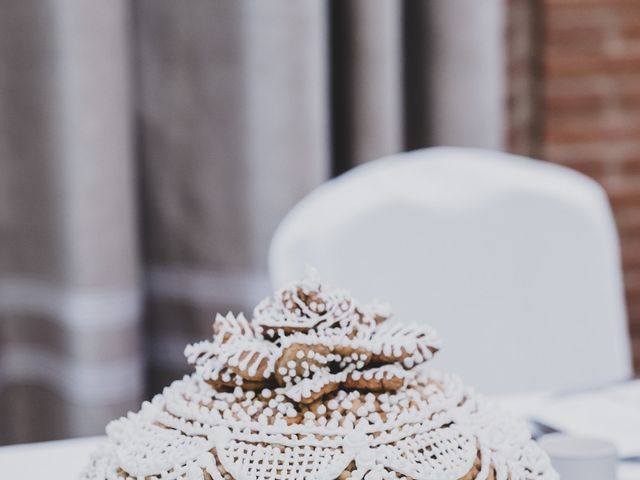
463, 54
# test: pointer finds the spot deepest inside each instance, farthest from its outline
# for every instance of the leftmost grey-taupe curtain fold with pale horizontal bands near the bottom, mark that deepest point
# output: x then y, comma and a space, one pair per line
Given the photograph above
69, 290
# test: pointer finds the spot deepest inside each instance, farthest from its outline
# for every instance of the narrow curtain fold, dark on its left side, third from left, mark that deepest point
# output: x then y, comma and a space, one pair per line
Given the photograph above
367, 114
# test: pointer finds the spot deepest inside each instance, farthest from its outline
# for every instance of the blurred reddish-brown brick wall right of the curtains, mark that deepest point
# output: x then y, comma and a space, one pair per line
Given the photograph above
588, 106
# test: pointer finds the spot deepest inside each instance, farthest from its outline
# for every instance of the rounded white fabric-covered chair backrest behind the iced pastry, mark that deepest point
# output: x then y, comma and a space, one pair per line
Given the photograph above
514, 261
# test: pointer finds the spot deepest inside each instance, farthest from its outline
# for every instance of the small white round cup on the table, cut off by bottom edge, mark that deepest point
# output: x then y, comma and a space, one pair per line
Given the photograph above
578, 458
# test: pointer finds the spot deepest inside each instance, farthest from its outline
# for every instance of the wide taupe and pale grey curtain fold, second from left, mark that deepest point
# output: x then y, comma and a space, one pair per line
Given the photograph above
233, 124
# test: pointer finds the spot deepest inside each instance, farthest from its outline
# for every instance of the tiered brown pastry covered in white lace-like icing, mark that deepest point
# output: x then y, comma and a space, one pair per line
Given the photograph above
317, 386
